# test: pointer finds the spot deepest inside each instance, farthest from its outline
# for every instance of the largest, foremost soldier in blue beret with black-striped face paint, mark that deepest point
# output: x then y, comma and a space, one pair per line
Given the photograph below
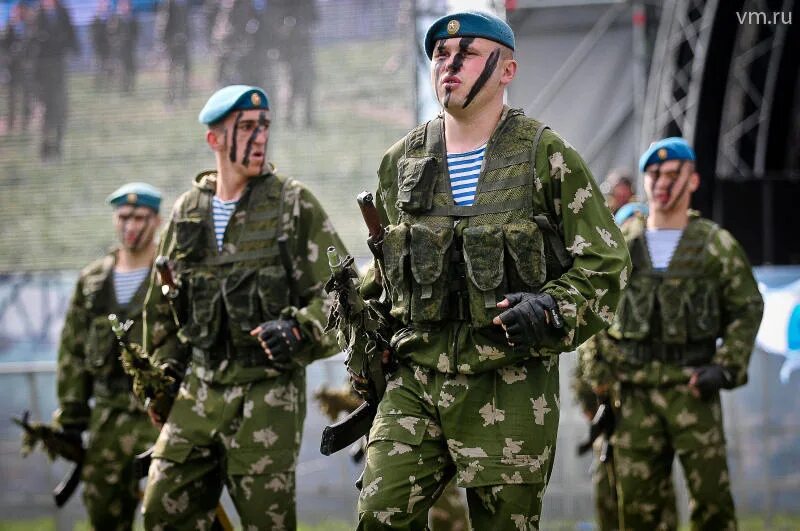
486, 295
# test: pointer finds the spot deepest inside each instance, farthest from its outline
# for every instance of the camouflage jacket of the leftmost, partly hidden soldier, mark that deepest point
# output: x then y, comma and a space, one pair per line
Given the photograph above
88, 355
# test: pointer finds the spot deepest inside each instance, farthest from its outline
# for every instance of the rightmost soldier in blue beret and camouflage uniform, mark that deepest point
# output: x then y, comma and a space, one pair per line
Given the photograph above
684, 330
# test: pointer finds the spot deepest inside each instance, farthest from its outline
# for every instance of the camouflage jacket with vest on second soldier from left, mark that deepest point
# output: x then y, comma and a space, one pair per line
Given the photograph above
226, 294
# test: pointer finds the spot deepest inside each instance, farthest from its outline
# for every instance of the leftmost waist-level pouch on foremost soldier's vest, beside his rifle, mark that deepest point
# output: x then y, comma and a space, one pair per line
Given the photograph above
395, 263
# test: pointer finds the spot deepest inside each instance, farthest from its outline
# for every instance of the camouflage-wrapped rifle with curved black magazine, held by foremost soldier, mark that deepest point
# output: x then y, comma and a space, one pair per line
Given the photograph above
360, 332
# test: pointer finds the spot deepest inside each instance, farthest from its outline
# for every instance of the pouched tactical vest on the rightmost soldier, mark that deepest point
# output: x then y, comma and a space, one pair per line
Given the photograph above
673, 315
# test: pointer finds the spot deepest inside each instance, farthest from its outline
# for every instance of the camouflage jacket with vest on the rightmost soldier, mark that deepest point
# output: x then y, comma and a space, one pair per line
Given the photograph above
705, 308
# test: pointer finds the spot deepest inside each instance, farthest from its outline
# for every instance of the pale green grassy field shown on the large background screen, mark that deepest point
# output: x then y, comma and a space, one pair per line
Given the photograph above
53, 214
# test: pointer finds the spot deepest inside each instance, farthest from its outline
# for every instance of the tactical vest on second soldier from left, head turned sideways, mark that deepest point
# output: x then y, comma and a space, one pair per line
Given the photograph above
229, 293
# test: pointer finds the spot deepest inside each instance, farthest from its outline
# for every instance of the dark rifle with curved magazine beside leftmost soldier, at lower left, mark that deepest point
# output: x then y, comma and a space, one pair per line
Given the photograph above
55, 443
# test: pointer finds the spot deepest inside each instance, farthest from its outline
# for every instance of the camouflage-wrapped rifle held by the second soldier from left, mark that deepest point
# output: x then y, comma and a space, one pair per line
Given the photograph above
150, 383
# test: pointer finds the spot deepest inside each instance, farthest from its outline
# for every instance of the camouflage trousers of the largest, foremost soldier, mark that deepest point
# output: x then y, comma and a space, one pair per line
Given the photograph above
481, 428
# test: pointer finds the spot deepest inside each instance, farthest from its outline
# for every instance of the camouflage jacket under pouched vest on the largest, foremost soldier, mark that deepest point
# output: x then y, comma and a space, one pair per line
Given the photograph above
504, 247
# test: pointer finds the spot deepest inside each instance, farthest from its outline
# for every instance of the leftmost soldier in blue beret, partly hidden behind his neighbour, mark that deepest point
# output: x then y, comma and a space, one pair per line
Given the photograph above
89, 366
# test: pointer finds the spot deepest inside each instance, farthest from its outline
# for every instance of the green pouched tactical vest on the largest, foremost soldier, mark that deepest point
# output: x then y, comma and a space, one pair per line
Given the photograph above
448, 262
